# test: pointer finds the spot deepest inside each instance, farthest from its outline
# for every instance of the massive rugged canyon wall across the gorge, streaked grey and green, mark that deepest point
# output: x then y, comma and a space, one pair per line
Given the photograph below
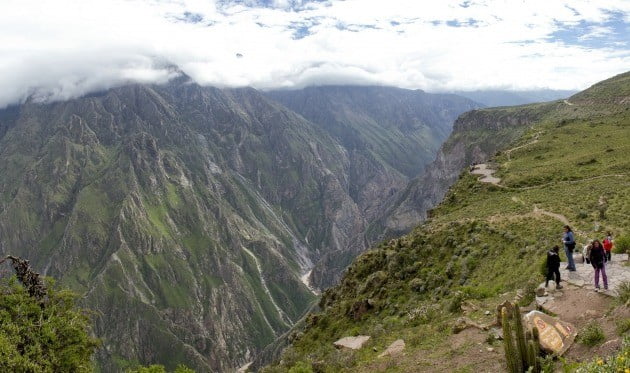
188, 215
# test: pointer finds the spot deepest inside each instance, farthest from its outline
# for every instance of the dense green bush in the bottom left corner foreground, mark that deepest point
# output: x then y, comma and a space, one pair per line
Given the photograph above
52, 336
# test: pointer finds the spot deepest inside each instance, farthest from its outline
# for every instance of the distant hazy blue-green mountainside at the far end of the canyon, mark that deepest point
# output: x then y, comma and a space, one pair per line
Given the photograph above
389, 135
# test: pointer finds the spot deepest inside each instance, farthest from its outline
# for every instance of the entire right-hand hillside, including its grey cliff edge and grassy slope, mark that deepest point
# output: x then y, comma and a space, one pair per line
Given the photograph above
436, 290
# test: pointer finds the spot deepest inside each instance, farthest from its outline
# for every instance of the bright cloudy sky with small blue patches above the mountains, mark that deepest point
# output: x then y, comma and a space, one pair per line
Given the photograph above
61, 49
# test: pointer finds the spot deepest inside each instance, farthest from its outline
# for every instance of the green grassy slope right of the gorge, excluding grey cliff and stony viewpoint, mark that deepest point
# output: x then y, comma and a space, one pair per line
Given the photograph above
482, 242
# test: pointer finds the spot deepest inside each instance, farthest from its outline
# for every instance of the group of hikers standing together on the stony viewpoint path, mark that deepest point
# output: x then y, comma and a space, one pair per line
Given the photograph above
595, 253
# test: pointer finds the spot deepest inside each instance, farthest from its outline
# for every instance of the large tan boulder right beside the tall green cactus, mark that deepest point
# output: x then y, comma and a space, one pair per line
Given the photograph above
556, 336
